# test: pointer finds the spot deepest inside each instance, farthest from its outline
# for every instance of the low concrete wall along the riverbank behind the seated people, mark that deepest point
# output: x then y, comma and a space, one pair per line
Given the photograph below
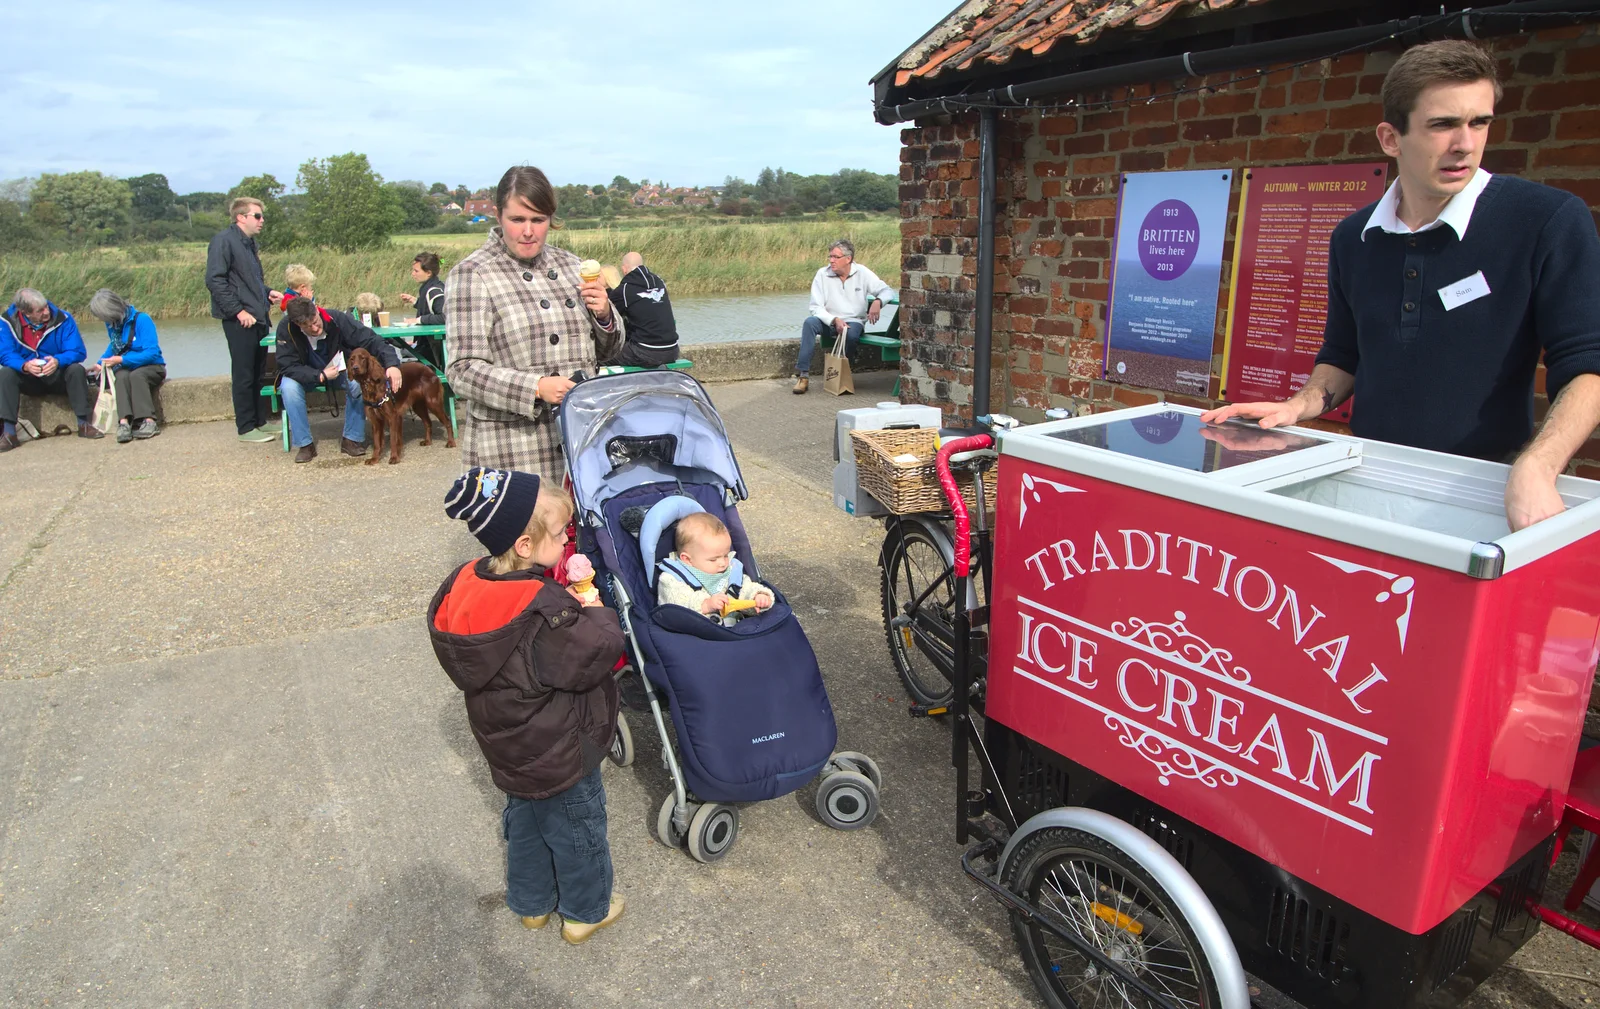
194, 401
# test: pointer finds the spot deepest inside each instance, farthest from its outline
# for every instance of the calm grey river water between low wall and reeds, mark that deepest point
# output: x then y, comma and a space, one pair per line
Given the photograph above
194, 348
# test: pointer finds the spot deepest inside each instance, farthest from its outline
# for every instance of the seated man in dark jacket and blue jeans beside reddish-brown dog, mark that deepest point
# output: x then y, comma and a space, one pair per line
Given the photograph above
313, 348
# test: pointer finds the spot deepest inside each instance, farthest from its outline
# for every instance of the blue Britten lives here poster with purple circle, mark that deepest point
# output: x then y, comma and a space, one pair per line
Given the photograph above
1167, 274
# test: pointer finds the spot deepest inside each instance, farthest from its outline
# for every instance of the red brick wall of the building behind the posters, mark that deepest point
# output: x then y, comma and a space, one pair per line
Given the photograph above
1057, 186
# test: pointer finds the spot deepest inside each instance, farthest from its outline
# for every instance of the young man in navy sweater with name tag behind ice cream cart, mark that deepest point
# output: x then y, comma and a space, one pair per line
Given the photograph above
1444, 295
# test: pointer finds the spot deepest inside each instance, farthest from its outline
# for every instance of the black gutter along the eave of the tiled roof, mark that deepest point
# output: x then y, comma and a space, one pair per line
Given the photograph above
1471, 25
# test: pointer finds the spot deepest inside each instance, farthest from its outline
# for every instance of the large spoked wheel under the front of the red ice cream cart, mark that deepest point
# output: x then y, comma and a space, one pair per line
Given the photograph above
1113, 904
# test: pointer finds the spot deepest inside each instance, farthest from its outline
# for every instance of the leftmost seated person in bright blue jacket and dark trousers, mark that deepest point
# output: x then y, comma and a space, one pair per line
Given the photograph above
41, 354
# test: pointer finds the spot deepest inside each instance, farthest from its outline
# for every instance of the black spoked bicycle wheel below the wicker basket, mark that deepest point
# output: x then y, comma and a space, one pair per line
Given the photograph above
914, 568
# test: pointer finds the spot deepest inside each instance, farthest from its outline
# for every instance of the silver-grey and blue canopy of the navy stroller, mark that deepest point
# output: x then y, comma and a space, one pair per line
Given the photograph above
623, 431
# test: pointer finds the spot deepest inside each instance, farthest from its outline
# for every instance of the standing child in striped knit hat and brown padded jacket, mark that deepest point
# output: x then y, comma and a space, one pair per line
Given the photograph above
535, 666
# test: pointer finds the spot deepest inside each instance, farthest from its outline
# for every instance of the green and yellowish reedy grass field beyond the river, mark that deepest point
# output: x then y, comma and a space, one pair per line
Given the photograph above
735, 258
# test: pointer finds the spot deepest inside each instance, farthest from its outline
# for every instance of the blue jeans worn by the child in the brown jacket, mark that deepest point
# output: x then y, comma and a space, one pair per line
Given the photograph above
558, 858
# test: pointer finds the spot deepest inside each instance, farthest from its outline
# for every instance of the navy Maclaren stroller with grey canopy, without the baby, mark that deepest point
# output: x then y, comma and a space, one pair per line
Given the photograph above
746, 698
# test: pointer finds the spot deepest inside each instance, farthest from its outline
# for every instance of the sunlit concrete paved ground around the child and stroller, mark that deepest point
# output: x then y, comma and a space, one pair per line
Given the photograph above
231, 772
